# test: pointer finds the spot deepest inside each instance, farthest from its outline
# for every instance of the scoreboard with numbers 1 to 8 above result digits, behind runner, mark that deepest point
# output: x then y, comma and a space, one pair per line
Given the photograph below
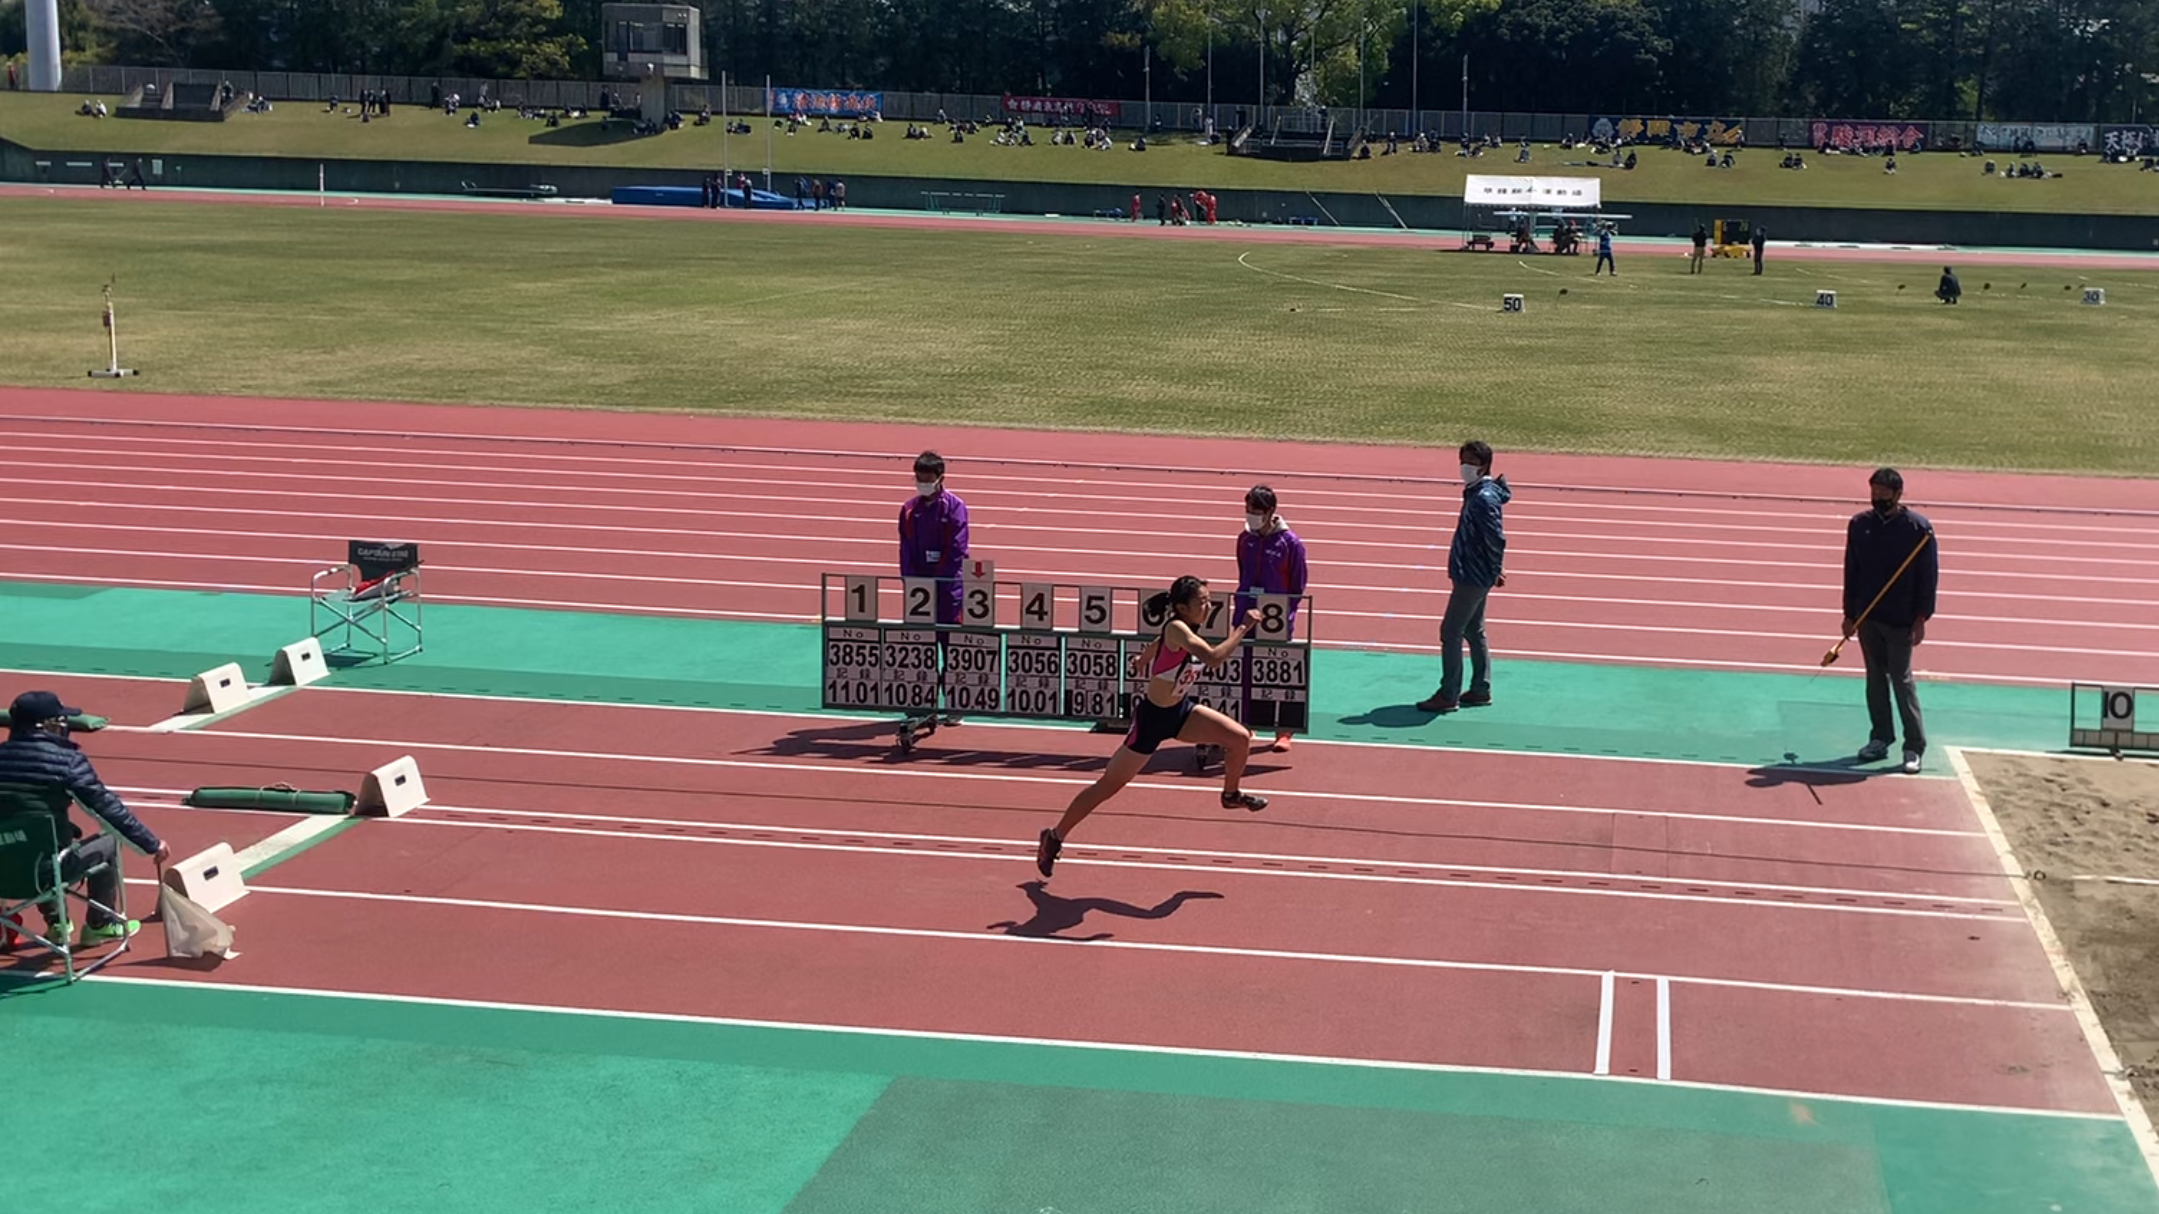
1046, 651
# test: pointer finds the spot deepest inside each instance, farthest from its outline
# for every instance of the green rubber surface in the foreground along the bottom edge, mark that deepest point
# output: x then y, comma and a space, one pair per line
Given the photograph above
312, 1103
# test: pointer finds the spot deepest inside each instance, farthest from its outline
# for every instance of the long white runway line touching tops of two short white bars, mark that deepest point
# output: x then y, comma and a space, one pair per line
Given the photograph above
1432, 965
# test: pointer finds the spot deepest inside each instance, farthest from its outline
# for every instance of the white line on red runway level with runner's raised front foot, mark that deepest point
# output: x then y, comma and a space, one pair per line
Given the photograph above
1053, 781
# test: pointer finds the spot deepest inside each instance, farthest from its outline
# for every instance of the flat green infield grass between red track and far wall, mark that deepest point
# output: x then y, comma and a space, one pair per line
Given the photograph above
1089, 332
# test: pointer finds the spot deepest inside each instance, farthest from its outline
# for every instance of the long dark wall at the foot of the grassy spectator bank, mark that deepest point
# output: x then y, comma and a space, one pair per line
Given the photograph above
1424, 213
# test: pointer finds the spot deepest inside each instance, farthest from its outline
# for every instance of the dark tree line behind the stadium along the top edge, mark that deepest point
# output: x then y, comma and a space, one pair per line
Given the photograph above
1877, 59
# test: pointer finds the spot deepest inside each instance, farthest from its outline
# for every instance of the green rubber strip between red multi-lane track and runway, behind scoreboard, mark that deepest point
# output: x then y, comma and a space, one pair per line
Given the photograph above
1545, 707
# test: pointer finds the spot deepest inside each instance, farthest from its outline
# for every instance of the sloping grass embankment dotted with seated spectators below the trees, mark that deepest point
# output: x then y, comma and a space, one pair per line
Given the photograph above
305, 131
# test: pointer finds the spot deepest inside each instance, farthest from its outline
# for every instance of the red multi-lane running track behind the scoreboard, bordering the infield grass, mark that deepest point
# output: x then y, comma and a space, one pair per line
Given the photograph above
1612, 561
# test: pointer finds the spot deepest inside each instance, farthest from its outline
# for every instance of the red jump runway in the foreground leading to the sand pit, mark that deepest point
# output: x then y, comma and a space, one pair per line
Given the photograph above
804, 878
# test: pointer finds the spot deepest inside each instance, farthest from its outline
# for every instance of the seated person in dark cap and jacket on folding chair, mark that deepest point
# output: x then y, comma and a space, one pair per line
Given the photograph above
38, 755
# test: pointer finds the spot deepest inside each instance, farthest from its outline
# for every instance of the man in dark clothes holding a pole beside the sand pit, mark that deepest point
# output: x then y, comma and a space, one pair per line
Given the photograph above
1877, 545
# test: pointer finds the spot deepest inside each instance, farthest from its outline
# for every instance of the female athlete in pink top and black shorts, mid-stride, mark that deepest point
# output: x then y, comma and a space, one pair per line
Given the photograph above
1167, 712
